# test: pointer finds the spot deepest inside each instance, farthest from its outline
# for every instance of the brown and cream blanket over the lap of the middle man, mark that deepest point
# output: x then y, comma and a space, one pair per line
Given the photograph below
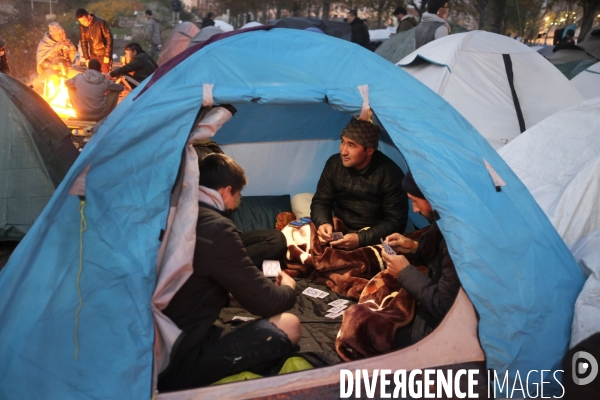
344, 272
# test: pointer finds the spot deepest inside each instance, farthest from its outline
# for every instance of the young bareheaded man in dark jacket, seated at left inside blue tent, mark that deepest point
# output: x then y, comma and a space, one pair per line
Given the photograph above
203, 354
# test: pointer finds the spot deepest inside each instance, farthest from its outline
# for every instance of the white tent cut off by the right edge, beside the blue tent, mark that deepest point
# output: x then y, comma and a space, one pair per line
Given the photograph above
559, 162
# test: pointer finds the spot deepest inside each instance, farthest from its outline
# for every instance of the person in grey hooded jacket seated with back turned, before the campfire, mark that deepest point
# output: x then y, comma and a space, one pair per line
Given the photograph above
93, 95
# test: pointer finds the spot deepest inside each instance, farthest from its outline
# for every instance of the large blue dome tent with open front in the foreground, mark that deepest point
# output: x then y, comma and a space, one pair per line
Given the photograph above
294, 92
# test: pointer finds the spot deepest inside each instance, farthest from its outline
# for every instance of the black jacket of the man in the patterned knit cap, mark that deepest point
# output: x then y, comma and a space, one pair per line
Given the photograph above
371, 198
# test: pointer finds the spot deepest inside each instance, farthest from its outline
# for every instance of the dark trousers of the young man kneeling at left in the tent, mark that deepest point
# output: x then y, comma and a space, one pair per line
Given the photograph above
256, 346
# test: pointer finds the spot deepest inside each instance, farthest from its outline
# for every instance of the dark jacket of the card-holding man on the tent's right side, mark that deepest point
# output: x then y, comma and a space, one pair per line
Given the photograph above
434, 292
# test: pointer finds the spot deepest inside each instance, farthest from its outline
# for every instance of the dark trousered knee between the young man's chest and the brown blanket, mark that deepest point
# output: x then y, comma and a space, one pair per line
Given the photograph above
268, 244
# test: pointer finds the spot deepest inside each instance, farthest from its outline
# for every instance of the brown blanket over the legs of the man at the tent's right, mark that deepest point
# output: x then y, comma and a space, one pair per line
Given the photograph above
368, 328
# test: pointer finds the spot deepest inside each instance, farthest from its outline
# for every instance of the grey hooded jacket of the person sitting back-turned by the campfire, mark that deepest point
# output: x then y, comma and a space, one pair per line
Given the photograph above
90, 101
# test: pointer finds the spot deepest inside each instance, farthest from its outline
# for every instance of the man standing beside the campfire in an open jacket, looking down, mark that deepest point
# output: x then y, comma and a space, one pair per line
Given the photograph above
96, 39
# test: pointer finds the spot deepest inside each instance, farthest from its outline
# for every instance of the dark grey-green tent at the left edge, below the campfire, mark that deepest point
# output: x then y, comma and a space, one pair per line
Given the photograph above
35, 155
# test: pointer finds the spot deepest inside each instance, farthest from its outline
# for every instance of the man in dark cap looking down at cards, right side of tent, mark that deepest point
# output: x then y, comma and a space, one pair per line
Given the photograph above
434, 292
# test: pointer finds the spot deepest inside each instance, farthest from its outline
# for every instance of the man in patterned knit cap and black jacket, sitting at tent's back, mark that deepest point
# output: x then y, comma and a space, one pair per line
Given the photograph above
363, 188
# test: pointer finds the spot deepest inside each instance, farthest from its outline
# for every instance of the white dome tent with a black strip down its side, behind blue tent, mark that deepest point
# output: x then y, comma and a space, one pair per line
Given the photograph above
471, 71
